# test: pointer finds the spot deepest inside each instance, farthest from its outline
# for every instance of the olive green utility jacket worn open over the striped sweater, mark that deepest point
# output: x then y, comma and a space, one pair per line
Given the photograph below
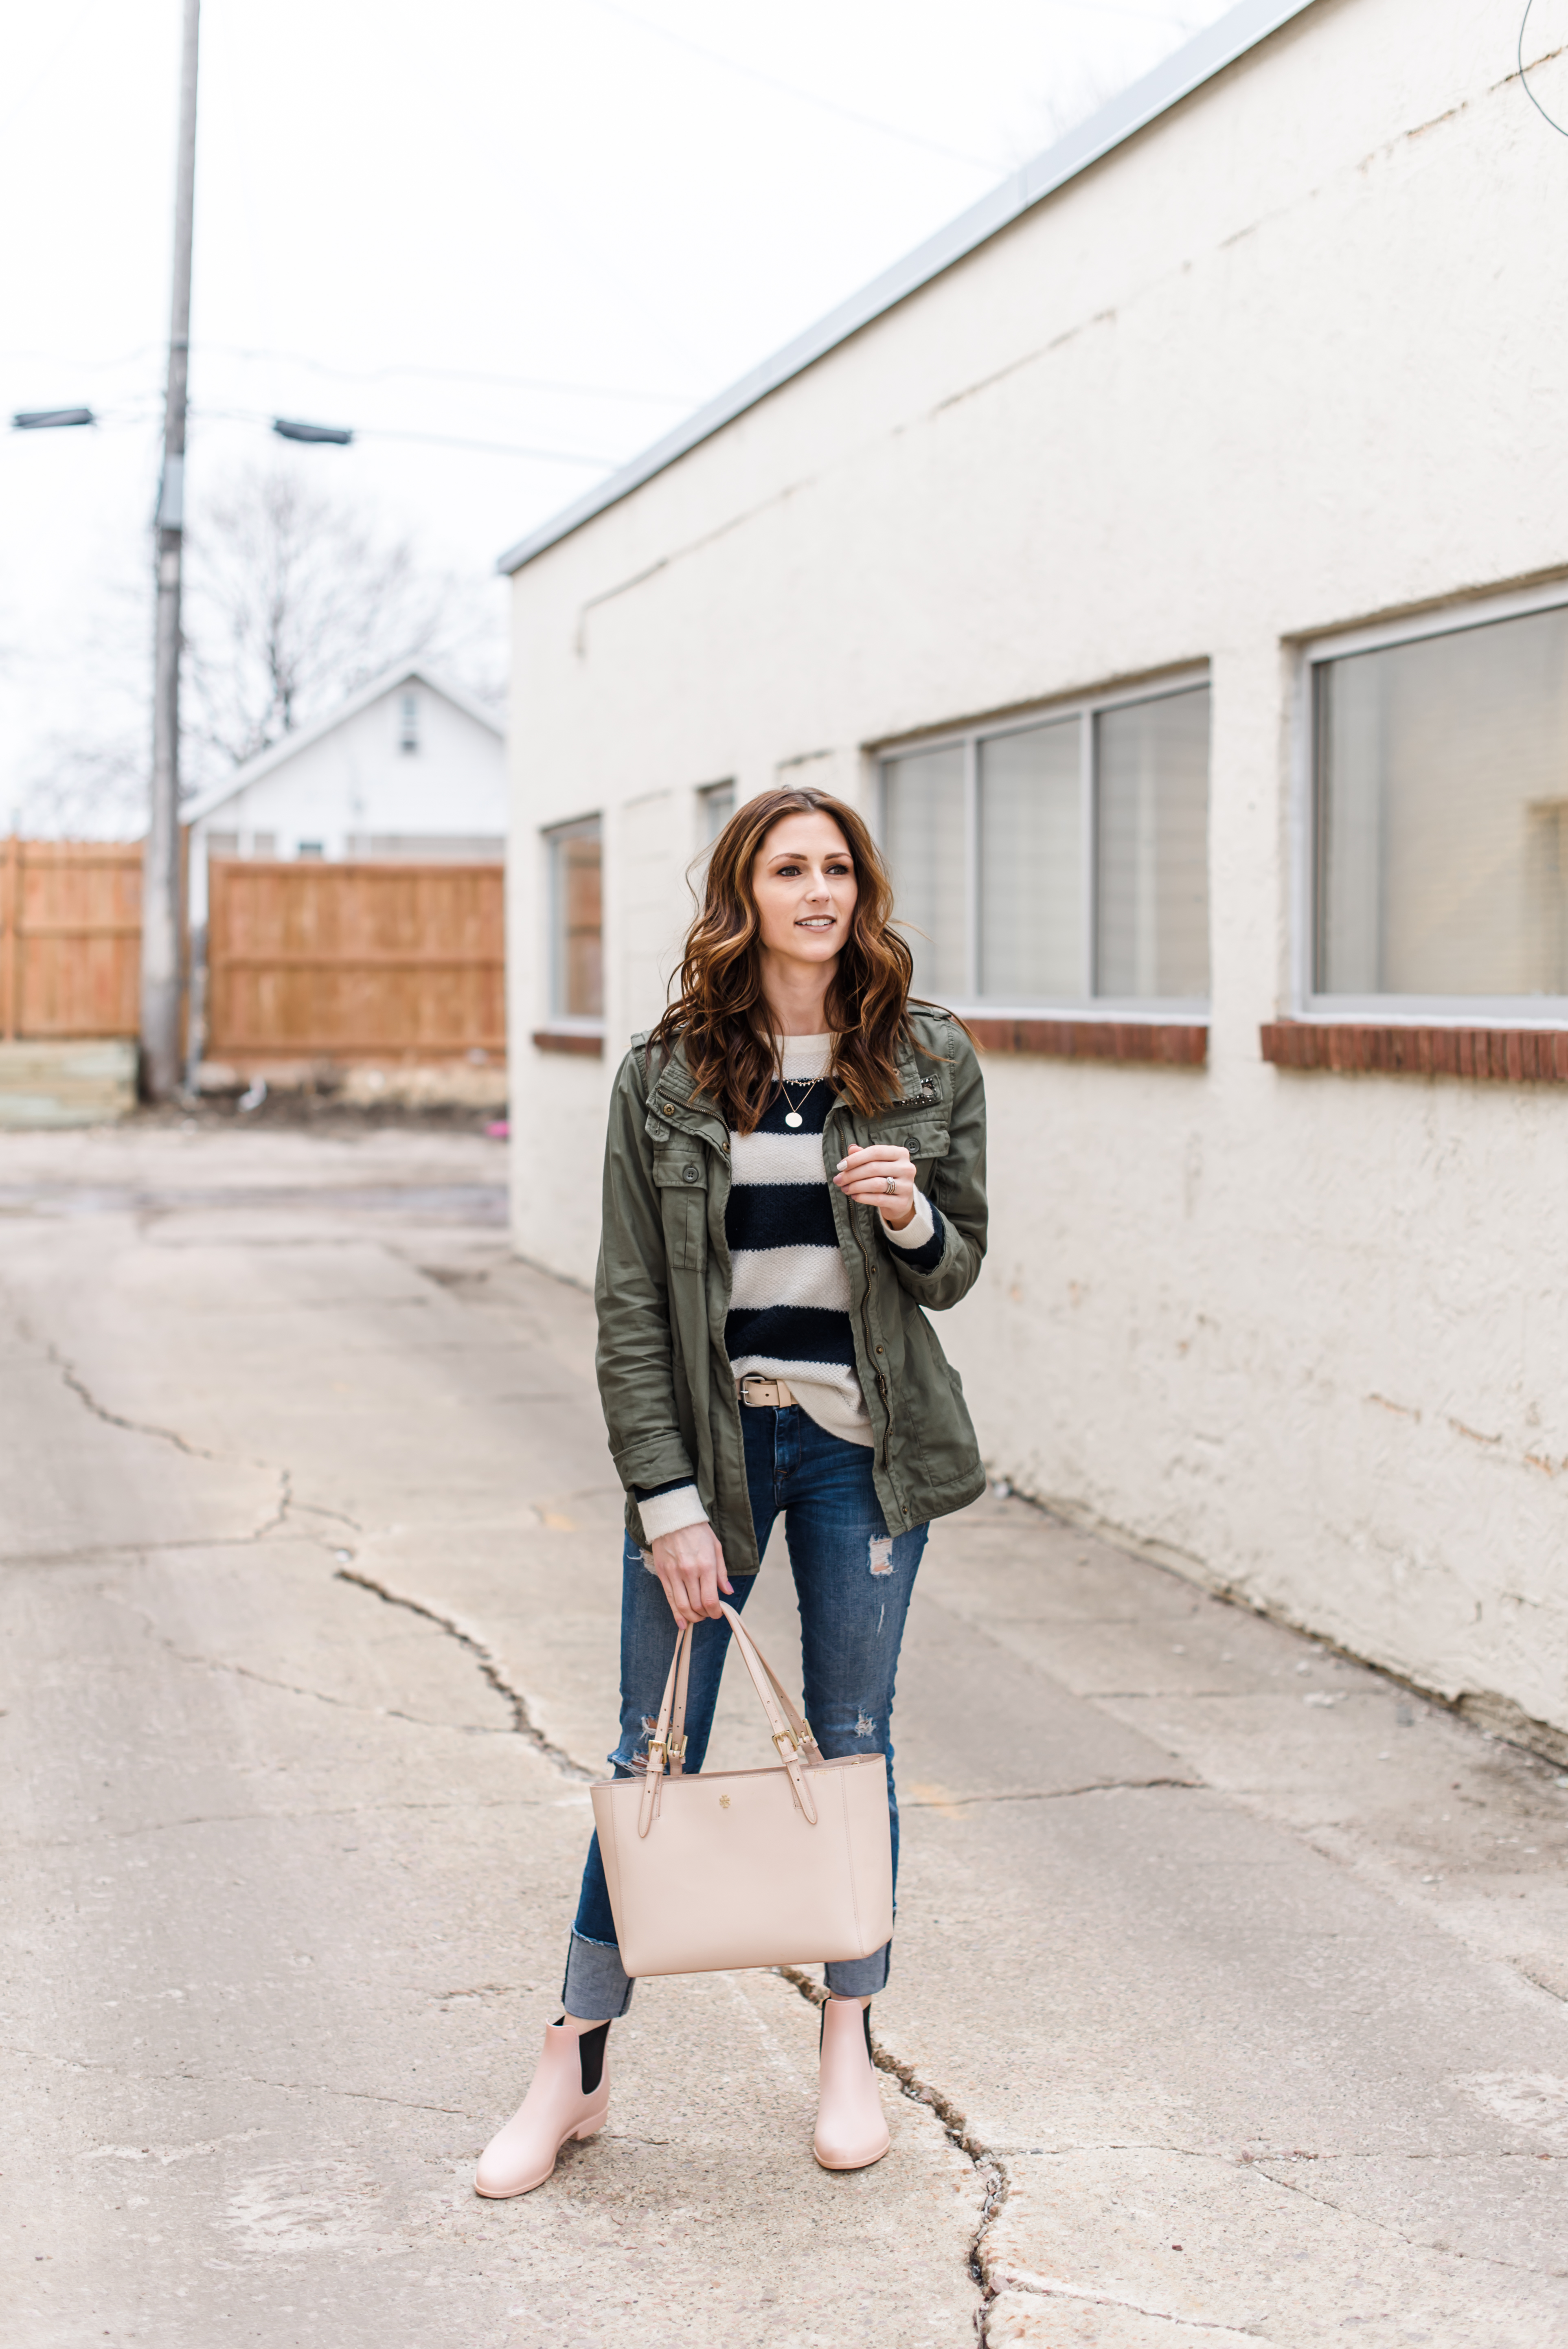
663, 1288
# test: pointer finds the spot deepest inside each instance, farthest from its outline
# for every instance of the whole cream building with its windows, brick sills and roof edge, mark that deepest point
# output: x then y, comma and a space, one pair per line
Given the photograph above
1172, 560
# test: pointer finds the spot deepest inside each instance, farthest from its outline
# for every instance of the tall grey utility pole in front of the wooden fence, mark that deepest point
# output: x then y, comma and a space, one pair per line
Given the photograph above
161, 887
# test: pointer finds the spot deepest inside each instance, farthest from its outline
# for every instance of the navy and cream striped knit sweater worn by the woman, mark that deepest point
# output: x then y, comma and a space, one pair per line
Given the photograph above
790, 1293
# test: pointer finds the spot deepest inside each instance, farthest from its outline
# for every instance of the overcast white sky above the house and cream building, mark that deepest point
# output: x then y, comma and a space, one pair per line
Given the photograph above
471, 220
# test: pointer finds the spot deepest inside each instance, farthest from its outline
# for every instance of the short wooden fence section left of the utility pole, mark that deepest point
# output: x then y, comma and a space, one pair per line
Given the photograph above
69, 938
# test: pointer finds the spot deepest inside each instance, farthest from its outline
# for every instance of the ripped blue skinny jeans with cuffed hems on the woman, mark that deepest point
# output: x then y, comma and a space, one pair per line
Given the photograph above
853, 1582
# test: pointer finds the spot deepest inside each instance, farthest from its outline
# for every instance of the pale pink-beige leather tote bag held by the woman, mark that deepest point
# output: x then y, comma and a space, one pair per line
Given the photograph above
755, 1866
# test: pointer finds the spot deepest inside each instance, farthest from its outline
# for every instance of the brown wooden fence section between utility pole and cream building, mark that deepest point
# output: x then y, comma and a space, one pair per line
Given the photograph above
353, 962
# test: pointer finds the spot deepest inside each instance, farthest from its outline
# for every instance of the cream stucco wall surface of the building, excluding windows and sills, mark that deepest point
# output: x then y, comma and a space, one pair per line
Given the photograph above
1285, 363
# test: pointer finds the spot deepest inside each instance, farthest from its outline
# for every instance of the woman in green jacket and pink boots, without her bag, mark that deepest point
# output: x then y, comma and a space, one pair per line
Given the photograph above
795, 1171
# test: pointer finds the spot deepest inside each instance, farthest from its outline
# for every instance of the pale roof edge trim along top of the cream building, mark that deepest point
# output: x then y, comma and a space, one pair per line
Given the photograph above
1175, 79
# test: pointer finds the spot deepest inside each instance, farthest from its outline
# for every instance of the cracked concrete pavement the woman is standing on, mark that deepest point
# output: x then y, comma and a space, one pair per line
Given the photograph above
1229, 1998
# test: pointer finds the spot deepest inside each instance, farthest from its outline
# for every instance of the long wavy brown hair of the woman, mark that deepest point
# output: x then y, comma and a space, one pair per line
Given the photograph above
722, 1011
